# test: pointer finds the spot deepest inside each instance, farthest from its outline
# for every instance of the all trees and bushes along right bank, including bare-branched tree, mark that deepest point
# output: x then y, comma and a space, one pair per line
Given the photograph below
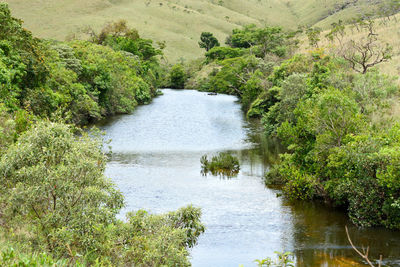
340, 126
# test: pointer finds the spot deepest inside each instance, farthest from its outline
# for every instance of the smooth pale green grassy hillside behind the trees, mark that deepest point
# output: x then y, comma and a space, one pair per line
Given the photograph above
178, 22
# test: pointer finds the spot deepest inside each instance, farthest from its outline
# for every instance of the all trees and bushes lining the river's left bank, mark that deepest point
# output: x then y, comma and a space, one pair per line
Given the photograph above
56, 206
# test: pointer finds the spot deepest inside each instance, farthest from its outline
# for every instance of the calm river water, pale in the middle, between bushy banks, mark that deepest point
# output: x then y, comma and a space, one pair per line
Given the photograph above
156, 165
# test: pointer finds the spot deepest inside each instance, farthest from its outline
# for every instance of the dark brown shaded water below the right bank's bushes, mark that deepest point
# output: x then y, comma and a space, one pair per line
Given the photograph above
319, 238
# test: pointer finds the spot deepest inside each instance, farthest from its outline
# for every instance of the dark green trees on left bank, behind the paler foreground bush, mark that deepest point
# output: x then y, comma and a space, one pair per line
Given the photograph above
79, 81
